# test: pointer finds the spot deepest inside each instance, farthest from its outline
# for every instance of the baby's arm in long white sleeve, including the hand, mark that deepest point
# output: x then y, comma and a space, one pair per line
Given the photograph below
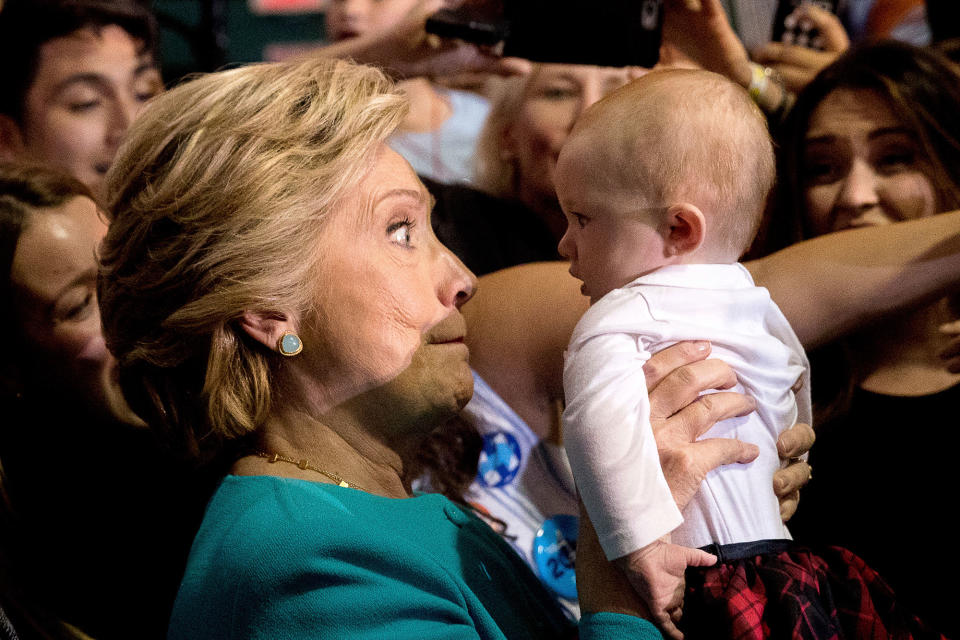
614, 457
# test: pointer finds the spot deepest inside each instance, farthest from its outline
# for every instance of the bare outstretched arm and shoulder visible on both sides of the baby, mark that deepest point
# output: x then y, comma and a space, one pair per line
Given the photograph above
521, 318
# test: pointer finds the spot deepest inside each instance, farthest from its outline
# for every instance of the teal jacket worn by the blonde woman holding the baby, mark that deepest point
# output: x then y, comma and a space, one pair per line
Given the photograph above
288, 560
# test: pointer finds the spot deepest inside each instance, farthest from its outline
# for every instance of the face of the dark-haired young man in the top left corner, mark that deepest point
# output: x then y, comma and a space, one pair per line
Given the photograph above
88, 88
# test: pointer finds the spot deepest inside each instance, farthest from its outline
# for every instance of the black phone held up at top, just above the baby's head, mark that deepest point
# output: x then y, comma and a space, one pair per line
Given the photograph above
612, 33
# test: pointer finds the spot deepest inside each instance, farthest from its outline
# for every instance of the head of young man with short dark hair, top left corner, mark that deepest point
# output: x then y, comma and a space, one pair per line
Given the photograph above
74, 75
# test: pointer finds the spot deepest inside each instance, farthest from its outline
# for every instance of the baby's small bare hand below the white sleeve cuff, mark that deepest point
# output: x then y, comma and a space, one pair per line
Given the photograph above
656, 573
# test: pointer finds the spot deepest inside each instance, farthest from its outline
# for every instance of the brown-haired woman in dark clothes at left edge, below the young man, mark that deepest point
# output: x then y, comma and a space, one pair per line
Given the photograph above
102, 554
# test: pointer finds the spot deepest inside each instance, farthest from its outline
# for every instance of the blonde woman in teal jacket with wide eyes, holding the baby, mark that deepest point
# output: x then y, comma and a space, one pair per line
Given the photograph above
274, 294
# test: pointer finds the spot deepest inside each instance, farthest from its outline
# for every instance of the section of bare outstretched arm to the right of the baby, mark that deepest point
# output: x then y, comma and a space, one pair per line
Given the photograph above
829, 286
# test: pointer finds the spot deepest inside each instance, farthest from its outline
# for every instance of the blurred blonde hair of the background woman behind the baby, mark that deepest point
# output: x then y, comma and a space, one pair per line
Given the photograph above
494, 172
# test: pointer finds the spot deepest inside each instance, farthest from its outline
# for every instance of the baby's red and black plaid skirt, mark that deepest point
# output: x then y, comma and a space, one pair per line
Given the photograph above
796, 593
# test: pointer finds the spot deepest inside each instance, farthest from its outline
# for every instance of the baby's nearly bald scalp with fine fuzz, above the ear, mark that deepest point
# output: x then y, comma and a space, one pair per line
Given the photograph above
682, 136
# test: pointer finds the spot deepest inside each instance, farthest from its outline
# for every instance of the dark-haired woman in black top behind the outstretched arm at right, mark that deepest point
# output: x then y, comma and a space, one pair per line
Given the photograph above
875, 139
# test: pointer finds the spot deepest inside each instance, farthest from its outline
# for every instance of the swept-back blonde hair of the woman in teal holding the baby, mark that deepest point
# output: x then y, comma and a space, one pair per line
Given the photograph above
217, 198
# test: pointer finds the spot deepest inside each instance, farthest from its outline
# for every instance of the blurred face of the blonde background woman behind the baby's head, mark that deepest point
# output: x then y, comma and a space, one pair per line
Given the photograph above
554, 98
